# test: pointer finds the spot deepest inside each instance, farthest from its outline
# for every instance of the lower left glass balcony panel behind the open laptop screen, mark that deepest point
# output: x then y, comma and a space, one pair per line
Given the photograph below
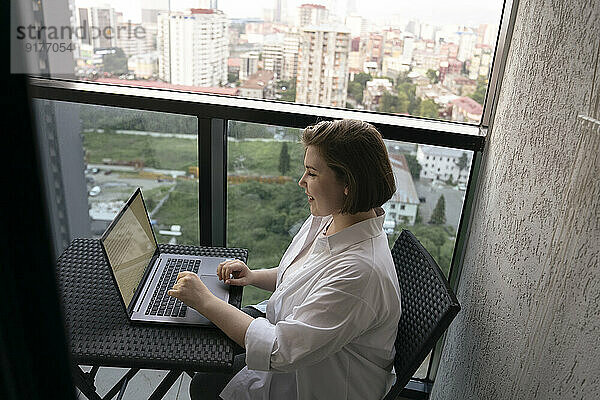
102, 154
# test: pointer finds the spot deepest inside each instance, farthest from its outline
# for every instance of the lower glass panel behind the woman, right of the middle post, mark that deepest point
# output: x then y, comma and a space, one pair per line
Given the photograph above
265, 205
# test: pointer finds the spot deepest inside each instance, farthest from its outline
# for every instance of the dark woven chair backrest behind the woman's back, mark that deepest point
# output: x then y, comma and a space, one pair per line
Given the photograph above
428, 307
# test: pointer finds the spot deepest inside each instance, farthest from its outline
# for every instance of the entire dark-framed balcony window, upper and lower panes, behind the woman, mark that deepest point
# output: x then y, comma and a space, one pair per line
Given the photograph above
247, 180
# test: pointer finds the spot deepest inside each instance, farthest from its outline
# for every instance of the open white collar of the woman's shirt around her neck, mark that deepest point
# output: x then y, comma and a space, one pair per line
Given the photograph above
353, 234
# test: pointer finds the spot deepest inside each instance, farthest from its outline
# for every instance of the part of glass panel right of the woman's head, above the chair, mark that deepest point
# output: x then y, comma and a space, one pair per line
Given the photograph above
431, 183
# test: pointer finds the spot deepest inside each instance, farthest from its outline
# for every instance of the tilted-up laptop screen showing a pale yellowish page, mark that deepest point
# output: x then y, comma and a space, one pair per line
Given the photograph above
129, 244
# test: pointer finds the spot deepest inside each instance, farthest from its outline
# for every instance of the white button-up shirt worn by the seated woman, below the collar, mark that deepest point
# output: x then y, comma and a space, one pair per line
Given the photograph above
329, 332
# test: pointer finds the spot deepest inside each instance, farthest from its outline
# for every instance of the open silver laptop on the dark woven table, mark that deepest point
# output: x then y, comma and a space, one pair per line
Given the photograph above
143, 274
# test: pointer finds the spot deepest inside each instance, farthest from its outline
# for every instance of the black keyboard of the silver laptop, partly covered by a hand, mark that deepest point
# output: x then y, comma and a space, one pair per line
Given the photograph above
161, 303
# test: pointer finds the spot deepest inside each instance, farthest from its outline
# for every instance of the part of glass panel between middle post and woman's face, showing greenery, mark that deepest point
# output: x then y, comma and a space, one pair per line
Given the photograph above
265, 205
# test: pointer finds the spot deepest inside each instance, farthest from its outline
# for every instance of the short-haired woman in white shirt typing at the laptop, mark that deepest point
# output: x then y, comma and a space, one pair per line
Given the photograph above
332, 319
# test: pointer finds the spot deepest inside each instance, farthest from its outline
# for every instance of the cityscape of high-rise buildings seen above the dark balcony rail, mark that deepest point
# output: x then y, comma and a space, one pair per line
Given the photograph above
316, 53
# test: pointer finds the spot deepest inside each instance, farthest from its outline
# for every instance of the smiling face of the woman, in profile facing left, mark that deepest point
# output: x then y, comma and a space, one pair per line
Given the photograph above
326, 194
